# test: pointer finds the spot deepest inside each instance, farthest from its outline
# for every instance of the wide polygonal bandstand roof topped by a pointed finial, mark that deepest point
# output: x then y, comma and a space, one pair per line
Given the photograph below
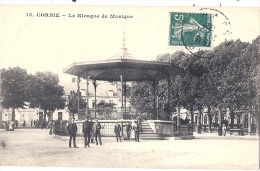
123, 64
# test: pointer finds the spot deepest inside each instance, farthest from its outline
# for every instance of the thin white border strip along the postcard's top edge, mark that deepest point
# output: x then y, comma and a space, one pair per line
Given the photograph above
217, 3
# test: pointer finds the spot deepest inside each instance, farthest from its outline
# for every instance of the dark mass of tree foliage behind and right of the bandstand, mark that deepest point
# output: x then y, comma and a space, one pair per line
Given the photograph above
227, 78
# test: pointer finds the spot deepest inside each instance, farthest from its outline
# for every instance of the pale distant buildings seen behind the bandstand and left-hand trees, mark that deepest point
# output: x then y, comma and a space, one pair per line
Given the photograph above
106, 92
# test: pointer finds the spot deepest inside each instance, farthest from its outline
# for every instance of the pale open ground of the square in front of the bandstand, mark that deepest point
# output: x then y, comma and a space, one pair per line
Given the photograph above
35, 147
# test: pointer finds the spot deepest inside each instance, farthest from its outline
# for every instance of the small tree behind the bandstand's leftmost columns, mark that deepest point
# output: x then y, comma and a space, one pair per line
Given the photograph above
73, 103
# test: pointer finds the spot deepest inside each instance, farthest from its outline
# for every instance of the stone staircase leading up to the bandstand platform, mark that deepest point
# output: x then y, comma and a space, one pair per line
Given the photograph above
148, 133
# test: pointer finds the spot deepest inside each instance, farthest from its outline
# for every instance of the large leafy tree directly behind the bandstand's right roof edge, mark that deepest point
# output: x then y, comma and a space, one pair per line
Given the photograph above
184, 89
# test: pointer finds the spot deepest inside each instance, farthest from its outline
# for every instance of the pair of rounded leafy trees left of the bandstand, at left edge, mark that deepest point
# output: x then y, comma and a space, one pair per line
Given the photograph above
40, 90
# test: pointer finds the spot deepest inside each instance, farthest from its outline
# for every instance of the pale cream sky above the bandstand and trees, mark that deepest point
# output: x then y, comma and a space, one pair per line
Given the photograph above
53, 43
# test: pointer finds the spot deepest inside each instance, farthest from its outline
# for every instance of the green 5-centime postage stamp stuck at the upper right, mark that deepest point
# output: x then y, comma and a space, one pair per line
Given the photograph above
190, 29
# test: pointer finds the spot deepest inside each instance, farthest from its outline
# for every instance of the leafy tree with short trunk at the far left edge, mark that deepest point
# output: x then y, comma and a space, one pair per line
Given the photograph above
13, 86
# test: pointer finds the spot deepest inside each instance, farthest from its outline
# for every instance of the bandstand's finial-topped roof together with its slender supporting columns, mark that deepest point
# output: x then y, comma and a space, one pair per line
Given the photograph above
123, 67
